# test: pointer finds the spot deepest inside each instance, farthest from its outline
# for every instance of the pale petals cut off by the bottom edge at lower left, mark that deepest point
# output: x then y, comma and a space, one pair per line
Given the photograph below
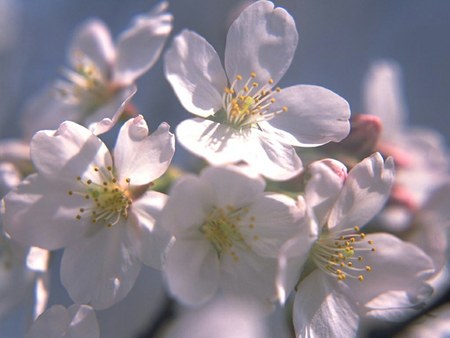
78, 321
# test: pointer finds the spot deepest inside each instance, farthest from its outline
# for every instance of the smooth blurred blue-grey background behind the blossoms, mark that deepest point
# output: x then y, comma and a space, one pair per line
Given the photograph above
339, 40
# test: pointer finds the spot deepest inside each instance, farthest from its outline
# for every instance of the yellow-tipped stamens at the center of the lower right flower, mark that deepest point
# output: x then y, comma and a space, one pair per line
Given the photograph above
337, 253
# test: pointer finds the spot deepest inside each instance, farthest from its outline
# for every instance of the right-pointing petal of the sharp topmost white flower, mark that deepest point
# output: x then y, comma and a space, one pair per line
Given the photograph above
315, 115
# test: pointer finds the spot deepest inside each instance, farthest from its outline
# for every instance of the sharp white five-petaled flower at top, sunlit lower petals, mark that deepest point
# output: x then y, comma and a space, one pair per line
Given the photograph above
242, 115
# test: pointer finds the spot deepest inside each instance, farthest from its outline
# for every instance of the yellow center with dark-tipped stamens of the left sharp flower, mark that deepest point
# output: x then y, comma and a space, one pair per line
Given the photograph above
110, 200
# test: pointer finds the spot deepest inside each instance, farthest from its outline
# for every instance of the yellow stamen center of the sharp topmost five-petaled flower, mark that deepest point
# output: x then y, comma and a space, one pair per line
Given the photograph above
249, 105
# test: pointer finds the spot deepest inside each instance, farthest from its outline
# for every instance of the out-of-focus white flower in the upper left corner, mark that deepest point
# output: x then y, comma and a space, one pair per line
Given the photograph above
101, 81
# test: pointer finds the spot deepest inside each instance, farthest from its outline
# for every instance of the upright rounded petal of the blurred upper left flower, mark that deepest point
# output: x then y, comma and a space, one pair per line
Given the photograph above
93, 40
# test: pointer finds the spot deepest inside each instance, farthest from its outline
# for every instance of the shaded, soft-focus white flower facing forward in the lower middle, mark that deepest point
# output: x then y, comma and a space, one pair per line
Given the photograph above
228, 232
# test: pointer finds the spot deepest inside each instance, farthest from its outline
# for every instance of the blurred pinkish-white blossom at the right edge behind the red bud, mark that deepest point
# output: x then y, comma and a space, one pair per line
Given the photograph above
419, 153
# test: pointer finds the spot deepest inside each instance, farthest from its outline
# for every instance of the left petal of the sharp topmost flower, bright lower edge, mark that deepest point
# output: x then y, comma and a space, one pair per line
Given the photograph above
193, 68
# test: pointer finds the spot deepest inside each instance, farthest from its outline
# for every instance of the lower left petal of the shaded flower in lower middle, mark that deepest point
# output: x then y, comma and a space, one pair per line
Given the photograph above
192, 269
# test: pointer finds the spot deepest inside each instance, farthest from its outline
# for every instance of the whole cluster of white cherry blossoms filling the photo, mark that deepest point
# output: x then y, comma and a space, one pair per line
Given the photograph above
299, 210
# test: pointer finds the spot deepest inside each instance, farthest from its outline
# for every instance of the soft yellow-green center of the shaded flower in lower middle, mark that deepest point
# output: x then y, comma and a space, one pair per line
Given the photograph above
221, 228
